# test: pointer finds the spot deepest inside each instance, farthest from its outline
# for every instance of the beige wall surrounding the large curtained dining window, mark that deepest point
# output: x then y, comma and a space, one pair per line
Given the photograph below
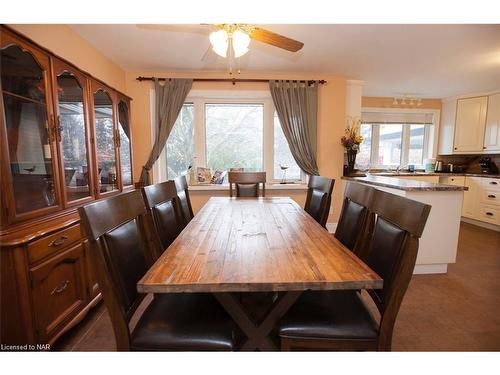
331, 122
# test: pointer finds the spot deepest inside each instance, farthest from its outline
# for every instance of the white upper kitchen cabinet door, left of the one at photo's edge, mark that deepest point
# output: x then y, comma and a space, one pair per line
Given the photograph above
470, 125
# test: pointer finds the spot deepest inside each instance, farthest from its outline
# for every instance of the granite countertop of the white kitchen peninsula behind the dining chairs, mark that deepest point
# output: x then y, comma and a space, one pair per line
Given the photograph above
404, 184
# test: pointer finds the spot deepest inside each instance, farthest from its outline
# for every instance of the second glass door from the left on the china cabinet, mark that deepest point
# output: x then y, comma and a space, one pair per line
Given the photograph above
71, 130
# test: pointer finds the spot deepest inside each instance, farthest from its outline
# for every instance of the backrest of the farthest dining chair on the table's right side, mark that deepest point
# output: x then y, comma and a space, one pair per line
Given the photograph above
319, 198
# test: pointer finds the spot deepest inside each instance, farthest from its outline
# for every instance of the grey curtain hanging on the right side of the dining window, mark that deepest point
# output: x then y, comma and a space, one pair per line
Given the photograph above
297, 107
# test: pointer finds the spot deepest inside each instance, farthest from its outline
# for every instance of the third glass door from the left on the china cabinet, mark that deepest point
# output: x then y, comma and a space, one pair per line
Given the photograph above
105, 142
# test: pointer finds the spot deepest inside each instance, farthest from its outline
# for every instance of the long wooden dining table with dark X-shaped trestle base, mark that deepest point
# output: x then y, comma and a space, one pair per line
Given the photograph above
234, 246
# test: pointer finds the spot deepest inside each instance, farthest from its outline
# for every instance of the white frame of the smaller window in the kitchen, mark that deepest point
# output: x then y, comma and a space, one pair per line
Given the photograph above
430, 136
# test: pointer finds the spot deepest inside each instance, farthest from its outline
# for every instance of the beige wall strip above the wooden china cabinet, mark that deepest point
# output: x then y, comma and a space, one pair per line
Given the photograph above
64, 42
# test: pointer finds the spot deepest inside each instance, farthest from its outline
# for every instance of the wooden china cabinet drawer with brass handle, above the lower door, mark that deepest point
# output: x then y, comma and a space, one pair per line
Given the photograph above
45, 246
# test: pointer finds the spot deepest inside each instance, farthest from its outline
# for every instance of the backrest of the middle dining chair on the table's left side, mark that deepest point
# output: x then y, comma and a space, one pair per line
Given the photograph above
162, 201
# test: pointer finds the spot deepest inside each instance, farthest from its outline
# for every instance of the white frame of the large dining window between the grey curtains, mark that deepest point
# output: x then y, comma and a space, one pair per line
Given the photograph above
199, 98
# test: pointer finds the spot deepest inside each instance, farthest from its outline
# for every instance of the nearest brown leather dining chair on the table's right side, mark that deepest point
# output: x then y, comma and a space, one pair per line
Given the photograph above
340, 320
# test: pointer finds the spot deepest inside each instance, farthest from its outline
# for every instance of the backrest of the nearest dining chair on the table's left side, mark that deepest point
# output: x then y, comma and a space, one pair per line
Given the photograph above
121, 250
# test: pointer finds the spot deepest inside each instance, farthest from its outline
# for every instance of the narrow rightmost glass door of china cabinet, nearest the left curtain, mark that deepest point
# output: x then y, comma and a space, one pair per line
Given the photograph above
125, 146
